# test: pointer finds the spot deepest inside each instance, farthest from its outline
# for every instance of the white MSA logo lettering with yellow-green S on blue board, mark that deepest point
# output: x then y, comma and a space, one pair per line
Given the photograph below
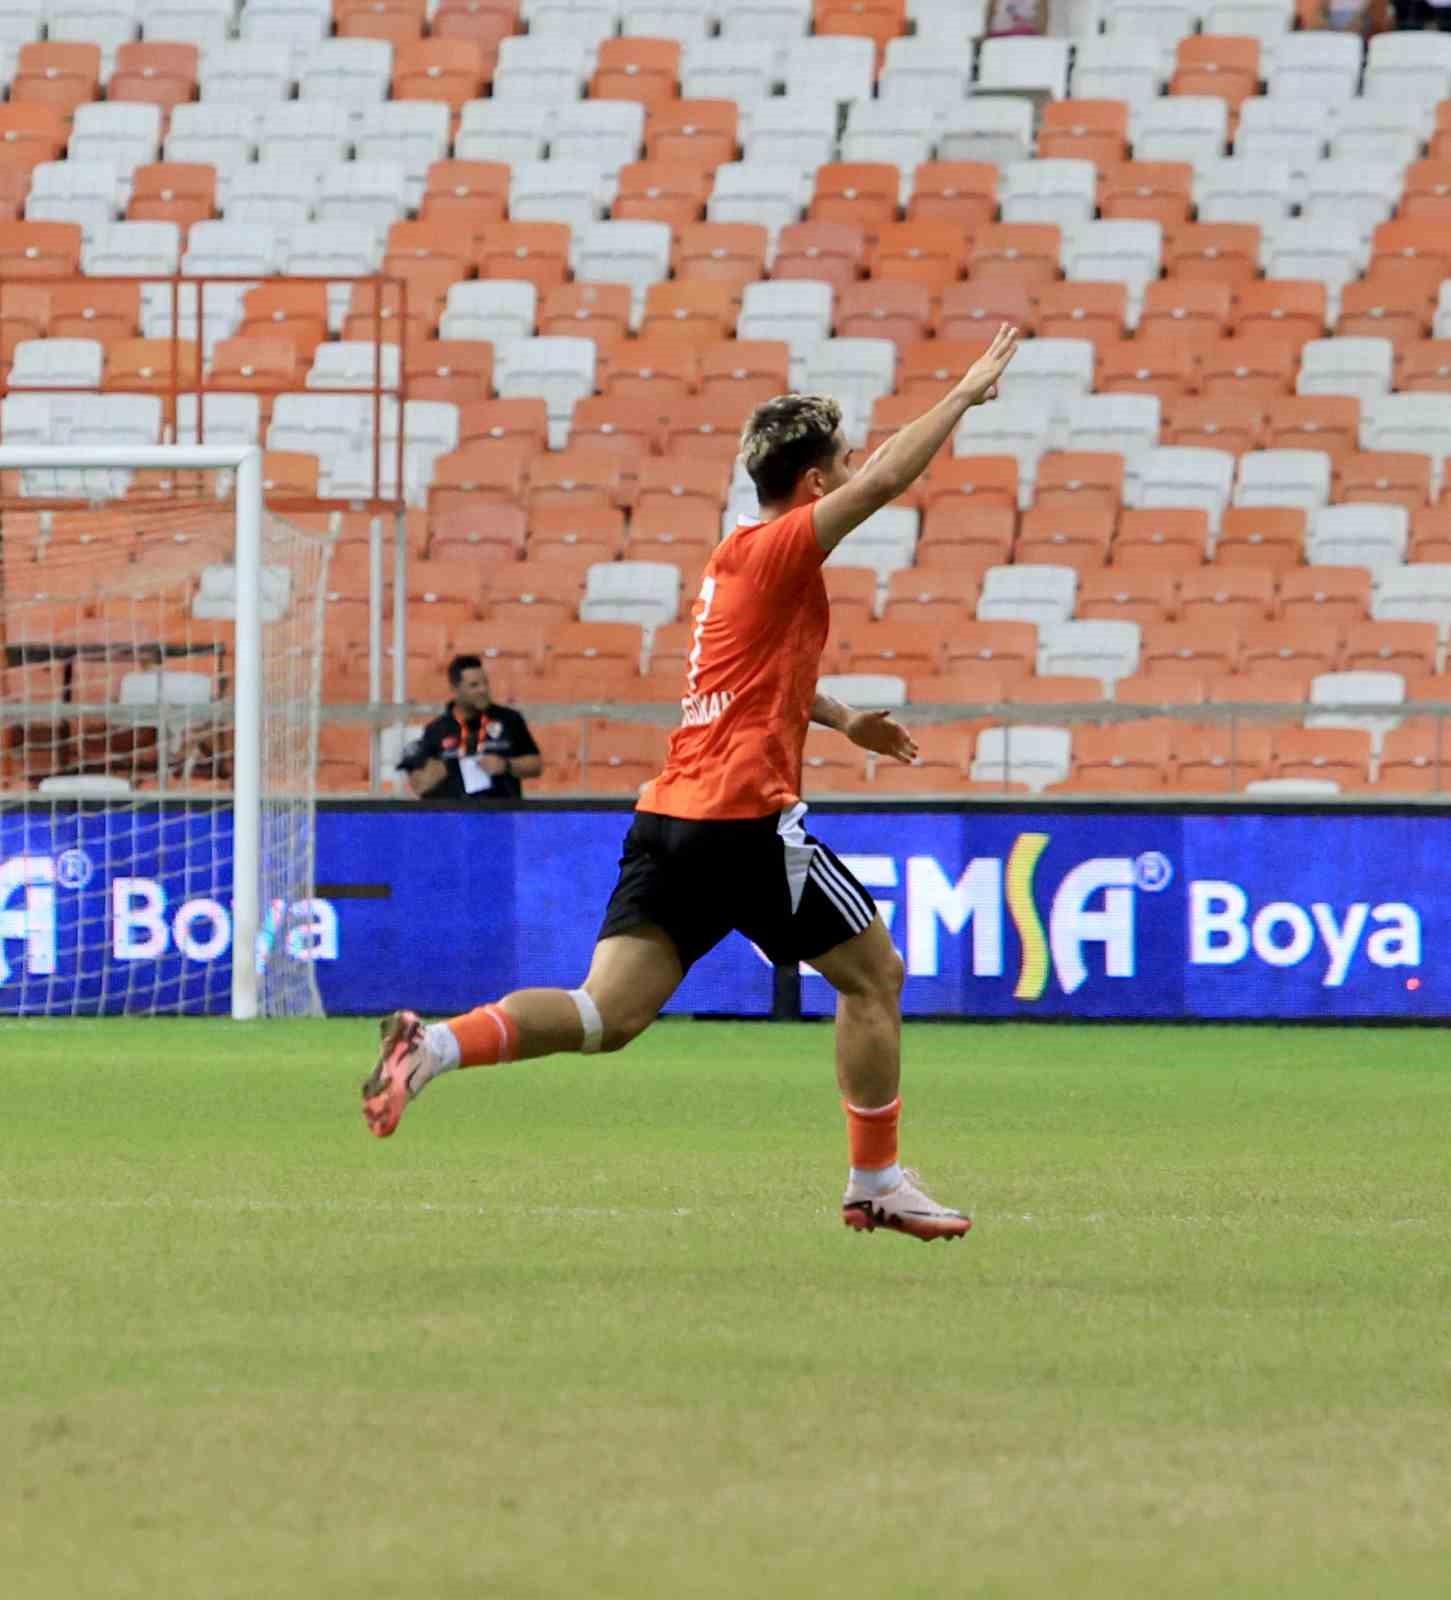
1092, 905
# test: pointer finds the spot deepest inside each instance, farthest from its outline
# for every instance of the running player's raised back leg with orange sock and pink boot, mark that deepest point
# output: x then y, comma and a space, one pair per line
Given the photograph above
631, 977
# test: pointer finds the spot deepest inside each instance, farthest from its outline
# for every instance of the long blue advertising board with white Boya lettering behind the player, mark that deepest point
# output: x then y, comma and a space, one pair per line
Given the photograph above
1002, 910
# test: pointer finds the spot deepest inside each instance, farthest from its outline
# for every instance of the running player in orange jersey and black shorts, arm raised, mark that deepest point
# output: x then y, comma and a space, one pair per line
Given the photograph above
719, 841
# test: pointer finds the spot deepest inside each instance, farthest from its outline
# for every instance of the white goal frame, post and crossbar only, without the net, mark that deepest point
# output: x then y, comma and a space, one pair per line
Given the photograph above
247, 756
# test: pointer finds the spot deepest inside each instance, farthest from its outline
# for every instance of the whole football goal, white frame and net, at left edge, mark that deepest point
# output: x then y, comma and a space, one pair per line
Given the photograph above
162, 646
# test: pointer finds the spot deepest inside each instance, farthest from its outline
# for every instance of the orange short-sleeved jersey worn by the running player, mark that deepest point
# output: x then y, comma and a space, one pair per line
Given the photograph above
761, 626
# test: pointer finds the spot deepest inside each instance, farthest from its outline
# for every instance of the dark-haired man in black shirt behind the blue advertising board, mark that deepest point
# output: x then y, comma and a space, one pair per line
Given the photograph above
476, 751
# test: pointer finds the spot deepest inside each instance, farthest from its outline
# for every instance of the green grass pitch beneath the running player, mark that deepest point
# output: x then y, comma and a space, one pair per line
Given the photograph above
593, 1329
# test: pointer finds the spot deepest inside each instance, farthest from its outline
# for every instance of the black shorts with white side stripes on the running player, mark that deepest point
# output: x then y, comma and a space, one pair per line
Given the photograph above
764, 878
